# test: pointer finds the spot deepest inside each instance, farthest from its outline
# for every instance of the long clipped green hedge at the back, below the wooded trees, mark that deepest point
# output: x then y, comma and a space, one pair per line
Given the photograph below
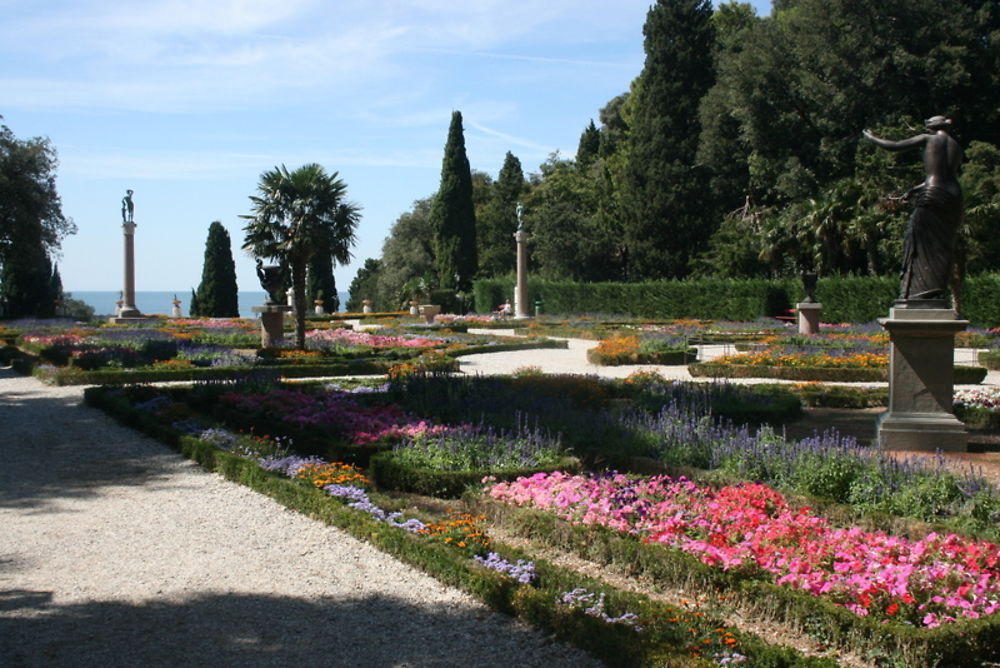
847, 299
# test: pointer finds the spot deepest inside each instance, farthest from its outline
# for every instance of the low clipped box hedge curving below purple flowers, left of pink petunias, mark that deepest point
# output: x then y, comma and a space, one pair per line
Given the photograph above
390, 474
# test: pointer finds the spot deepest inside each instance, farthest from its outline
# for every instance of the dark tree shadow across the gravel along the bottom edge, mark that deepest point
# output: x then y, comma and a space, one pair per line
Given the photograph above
250, 630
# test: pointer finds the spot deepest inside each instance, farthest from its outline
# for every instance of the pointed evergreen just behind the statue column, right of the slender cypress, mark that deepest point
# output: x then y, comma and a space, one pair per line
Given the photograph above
497, 248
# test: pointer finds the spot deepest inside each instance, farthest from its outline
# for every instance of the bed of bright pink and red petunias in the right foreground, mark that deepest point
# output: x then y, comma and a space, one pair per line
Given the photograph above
896, 588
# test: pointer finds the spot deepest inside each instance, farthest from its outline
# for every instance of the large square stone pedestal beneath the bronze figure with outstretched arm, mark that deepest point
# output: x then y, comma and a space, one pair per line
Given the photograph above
921, 381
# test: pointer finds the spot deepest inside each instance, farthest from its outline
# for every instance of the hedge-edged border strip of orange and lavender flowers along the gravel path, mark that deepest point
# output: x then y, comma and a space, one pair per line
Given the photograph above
622, 628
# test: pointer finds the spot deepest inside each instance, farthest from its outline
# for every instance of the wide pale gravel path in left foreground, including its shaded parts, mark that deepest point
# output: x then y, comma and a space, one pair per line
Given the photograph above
115, 551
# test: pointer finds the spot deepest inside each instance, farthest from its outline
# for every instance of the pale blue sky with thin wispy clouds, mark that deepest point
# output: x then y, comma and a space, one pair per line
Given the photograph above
188, 102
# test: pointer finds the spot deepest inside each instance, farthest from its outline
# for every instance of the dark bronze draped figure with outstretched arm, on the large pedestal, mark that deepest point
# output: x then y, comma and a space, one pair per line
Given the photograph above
930, 235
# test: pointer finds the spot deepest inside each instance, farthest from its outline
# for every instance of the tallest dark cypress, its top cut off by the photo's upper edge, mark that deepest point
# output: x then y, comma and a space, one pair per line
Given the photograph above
664, 193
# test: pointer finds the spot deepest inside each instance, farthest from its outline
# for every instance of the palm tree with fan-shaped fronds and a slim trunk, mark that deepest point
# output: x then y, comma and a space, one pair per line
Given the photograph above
296, 215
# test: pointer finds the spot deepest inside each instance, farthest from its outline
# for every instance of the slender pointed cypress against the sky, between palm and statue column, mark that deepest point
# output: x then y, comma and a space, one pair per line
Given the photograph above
452, 215
